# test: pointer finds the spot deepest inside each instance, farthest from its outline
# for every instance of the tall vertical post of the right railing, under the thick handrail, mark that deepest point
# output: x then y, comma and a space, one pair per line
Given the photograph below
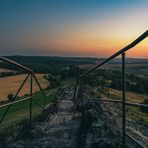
123, 101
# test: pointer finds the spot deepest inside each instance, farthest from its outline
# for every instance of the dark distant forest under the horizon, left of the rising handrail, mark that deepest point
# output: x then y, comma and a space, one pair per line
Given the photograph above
48, 64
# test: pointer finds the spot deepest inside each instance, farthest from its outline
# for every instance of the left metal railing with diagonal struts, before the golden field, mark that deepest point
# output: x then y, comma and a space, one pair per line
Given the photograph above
32, 76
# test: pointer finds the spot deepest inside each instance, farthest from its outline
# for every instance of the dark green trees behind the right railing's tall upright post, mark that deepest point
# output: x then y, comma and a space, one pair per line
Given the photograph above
113, 79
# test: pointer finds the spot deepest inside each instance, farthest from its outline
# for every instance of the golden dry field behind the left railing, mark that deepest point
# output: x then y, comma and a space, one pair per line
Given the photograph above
11, 85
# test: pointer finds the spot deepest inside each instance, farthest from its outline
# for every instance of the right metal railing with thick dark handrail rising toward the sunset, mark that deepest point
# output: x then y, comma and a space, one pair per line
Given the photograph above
123, 101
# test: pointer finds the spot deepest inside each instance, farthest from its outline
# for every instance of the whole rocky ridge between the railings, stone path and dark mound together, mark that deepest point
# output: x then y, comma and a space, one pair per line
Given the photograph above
93, 125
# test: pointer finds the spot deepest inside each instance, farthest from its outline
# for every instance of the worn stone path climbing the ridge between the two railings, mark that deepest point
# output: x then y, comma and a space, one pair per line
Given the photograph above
59, 131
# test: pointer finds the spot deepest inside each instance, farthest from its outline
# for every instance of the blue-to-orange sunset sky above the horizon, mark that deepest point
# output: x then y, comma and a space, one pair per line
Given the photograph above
90, 28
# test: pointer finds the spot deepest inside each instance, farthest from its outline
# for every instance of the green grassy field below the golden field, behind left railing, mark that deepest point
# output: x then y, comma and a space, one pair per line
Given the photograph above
18, 114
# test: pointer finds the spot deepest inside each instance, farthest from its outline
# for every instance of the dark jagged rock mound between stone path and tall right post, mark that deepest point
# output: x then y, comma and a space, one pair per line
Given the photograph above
97, 127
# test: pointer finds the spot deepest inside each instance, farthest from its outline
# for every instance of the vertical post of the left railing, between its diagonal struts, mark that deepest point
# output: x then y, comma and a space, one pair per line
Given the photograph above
31, 86
